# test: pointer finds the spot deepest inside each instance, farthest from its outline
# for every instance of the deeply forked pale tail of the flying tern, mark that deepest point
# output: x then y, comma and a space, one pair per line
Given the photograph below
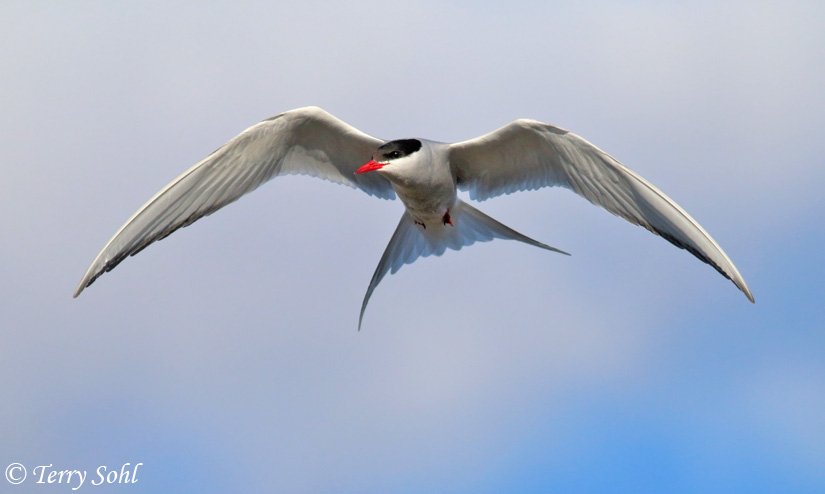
411, 241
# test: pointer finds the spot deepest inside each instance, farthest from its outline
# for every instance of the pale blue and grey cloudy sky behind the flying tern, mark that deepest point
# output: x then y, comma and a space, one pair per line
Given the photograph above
226, 358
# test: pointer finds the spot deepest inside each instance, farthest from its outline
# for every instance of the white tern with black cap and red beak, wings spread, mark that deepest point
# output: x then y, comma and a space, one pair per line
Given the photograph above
523, 155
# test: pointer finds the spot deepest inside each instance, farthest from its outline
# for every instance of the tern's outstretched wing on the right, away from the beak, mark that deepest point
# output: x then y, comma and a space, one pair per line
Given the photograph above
528, 155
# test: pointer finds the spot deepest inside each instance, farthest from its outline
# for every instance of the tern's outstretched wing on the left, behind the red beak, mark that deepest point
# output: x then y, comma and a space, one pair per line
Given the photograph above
306, 141
